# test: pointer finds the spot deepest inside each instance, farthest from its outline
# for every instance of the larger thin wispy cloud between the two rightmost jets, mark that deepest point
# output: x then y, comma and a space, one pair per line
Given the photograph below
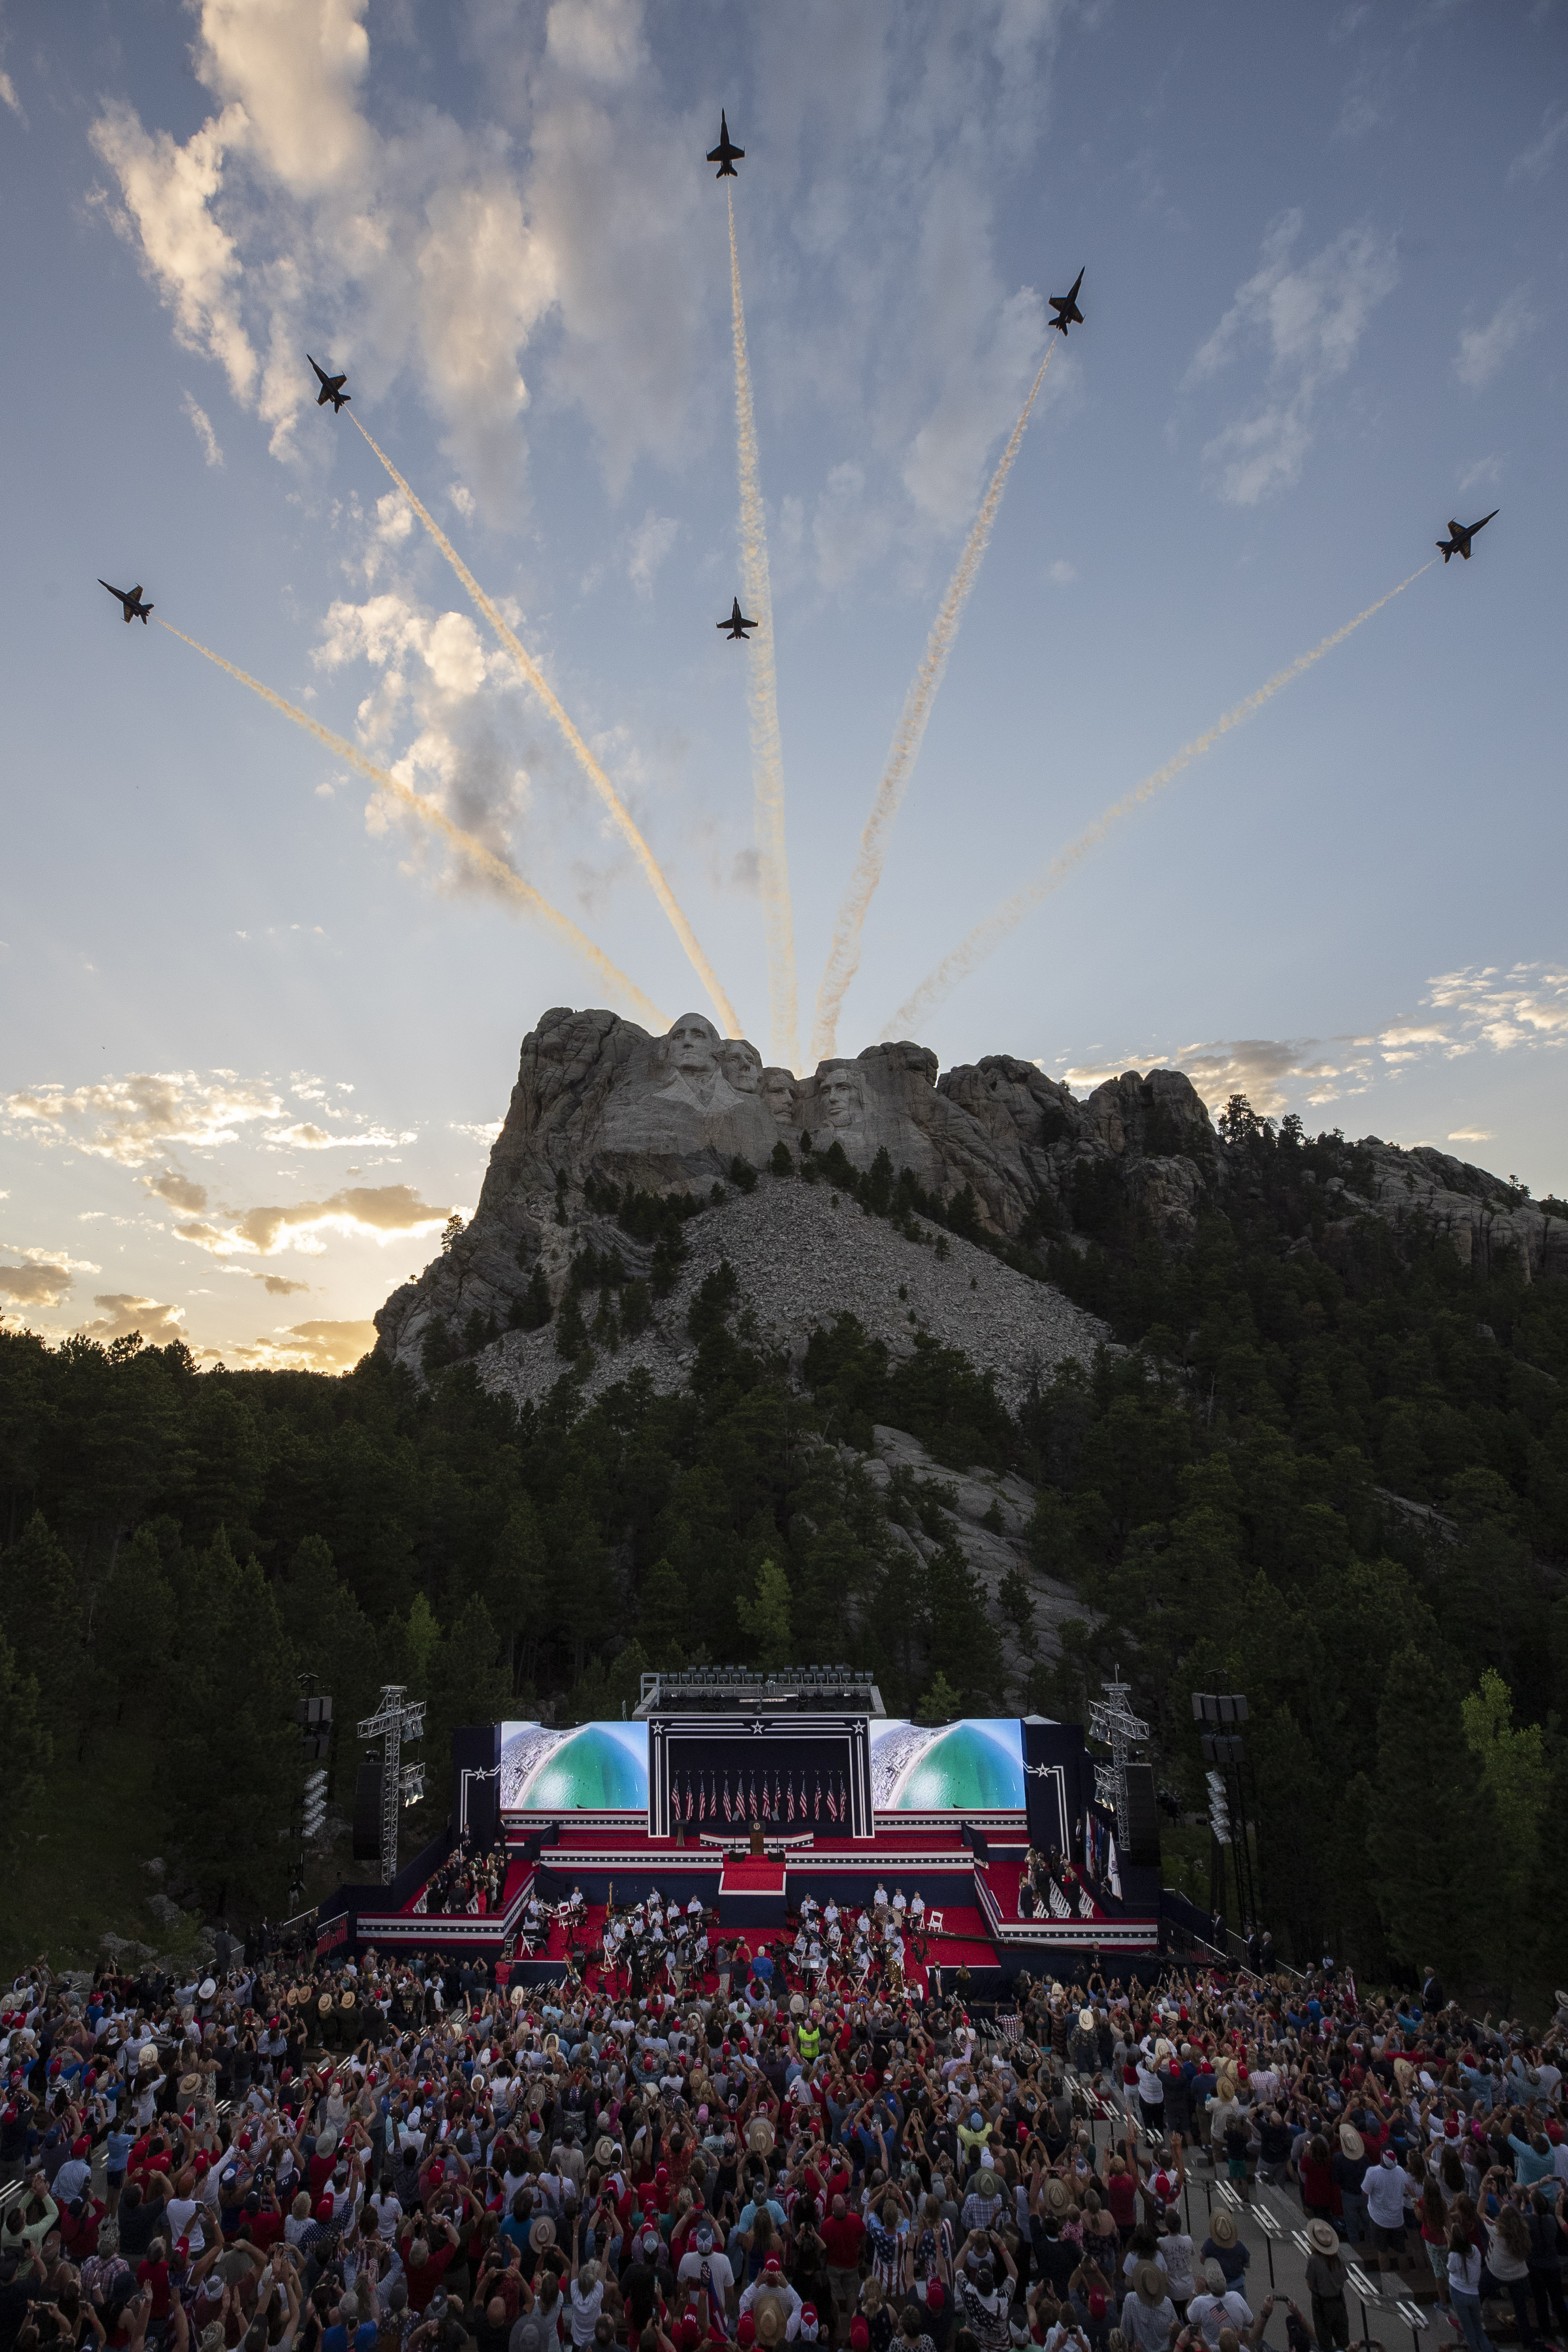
1311, 321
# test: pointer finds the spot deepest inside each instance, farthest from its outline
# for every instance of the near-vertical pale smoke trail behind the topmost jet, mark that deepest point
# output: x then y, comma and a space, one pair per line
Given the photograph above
763, 695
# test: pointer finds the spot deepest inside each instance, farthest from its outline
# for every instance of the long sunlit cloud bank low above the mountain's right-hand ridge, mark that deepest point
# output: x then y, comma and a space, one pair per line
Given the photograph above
1473, 1010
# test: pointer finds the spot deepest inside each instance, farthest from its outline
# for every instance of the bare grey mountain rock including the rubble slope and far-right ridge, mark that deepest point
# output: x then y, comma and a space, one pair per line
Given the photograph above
601, 1104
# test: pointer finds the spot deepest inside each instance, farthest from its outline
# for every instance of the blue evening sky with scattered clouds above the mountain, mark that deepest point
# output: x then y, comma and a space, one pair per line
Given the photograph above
262, 1010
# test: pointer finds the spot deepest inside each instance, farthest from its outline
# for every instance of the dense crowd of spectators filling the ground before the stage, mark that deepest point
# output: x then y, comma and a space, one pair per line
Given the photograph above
530, 2167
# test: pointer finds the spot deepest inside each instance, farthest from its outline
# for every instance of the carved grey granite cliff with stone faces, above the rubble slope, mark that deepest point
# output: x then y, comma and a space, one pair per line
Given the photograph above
603, 1104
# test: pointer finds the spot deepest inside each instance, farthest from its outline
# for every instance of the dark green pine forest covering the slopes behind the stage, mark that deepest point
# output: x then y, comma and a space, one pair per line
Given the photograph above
1327, 1466
